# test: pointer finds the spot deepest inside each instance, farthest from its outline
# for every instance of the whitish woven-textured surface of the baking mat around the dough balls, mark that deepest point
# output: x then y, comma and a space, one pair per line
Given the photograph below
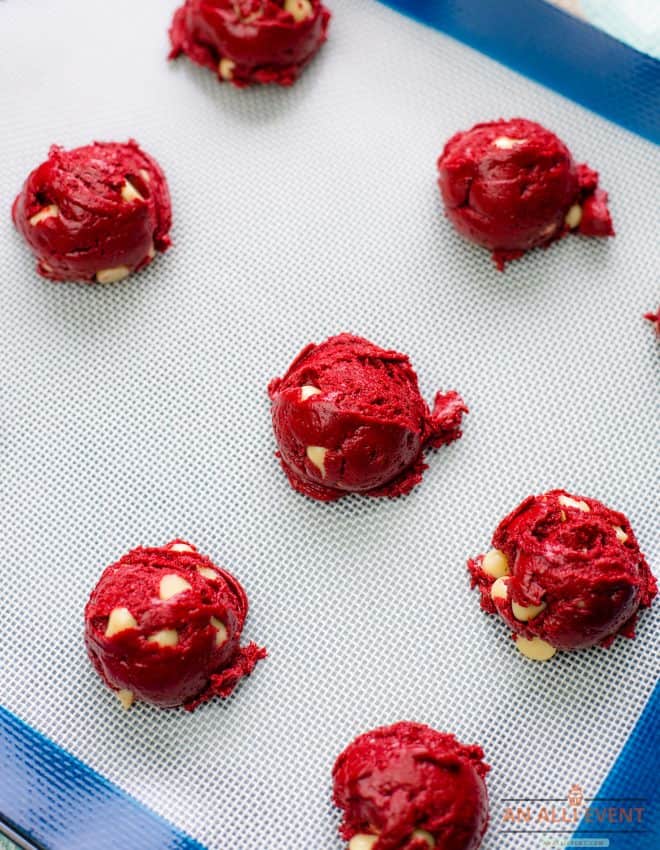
135, 413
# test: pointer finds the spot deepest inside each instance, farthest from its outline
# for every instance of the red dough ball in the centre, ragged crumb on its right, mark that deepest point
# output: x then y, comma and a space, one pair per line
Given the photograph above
349, 418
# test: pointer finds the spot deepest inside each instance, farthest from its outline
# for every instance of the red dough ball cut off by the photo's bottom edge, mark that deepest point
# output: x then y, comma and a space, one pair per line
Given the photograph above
408, 787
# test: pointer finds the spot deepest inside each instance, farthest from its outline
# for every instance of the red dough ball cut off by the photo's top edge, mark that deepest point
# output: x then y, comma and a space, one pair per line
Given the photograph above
250, 41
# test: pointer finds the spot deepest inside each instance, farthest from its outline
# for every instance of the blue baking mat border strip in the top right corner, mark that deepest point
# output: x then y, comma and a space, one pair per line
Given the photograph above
554, 48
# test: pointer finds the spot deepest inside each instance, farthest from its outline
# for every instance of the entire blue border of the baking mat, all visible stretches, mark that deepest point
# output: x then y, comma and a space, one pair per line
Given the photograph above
66, 804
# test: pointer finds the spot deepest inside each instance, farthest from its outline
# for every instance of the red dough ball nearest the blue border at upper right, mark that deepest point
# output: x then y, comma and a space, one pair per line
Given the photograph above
513, 185
